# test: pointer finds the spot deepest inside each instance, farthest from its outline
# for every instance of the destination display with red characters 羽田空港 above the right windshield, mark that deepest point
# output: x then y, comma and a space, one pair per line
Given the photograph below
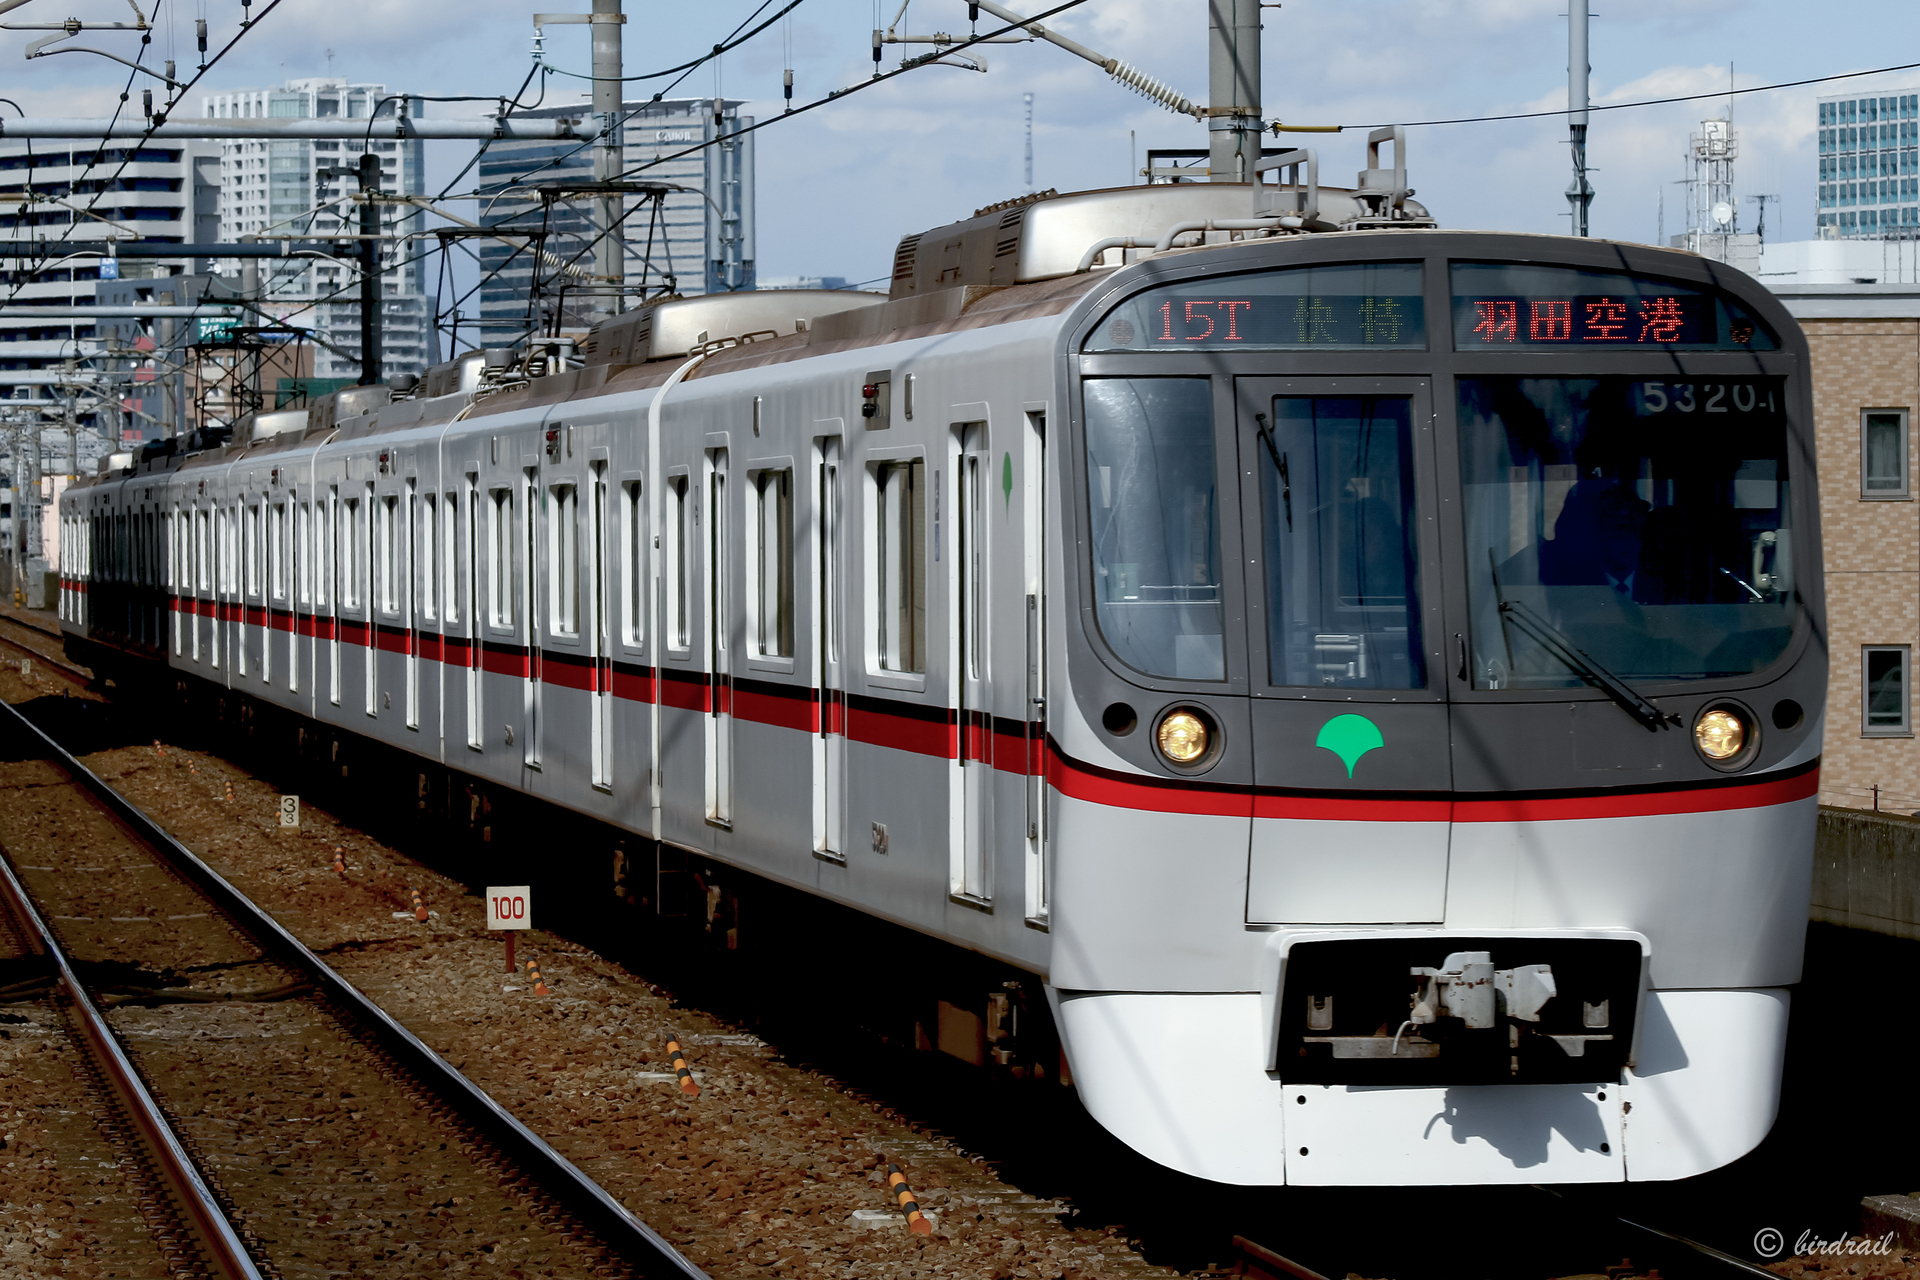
1514, 306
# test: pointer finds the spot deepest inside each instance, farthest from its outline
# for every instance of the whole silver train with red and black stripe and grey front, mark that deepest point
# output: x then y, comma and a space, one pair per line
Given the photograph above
1370, 675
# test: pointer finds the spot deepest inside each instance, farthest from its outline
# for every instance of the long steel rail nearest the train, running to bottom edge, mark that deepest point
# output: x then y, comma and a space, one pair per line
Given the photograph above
615, 1225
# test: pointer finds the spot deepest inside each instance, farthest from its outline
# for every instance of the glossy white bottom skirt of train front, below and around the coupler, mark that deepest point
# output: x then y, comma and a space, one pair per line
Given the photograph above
1180, 1079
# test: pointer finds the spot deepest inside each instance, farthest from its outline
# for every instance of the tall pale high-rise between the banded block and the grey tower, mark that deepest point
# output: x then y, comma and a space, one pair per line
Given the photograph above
285, 187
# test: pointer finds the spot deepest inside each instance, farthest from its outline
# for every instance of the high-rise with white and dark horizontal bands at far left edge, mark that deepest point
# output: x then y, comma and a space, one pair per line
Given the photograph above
55, 256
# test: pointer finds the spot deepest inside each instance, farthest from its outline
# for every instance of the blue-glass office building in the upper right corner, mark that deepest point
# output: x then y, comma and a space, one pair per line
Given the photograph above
1871, 166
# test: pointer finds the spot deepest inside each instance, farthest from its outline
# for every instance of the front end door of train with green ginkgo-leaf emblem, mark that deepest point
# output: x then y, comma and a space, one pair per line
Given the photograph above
1349, 715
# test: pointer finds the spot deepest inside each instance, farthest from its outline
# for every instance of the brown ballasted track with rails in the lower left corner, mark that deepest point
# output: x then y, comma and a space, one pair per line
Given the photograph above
277, 1122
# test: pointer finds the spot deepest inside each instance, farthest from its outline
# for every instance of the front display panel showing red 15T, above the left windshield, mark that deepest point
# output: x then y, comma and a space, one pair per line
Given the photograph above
1339, 308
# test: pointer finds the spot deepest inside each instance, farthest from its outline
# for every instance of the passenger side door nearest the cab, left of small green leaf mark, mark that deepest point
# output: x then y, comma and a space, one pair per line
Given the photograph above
972, 863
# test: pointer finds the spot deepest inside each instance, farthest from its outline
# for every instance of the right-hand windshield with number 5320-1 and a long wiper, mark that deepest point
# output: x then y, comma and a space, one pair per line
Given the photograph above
1646, 521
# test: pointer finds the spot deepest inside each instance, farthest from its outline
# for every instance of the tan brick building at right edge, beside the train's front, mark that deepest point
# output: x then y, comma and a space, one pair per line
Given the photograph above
1865, 343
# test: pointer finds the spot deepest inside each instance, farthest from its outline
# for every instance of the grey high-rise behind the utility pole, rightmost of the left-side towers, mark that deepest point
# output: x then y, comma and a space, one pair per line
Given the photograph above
694, 237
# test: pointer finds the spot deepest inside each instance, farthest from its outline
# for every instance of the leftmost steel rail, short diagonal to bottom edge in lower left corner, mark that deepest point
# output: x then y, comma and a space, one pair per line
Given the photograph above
218, 1237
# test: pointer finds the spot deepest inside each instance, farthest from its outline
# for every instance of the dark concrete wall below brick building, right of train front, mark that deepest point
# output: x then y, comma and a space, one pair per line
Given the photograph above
1867, 872
